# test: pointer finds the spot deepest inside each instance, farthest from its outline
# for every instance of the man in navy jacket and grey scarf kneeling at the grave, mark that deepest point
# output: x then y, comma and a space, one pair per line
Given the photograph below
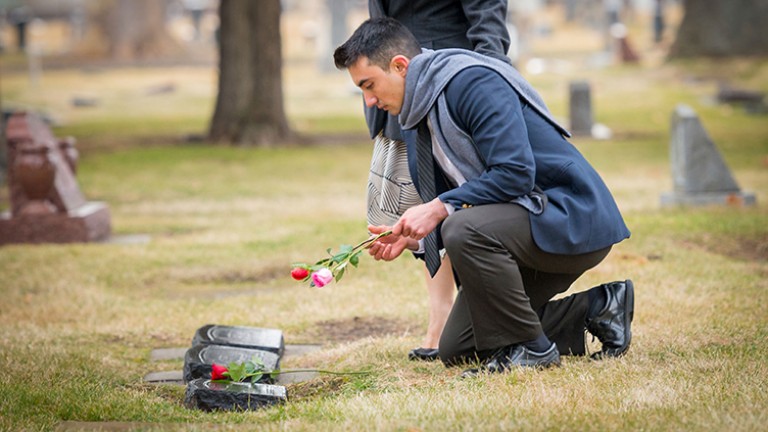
518, 209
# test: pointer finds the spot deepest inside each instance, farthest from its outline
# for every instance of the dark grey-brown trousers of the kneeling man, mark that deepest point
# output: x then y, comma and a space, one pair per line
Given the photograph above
506, 286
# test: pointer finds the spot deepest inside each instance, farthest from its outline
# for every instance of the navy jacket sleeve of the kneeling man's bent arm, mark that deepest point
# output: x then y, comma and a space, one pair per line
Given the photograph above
483, 105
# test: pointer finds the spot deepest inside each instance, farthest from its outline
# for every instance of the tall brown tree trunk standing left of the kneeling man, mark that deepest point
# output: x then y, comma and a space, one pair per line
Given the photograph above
249, 108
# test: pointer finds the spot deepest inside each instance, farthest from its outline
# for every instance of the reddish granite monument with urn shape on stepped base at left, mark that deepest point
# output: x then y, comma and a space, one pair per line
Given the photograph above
47, 205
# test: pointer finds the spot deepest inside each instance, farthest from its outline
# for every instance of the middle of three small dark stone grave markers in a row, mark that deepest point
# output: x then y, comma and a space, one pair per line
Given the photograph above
199, 358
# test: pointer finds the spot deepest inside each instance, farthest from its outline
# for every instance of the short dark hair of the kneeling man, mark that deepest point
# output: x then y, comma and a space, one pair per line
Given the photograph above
379, 39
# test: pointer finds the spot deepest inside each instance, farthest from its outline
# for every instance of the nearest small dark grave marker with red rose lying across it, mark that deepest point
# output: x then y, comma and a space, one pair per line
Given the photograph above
208, 395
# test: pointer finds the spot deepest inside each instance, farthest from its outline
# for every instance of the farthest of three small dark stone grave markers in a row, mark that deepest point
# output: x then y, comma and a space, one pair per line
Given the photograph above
244, 337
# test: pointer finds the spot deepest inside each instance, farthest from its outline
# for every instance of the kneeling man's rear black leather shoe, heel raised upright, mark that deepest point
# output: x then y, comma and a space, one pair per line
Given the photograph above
612, 325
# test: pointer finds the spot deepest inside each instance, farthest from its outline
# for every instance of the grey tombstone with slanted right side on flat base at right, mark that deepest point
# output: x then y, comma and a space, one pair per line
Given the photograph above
699, 173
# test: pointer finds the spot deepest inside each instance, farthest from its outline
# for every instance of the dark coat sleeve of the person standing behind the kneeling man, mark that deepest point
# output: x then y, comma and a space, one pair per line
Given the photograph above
487, 30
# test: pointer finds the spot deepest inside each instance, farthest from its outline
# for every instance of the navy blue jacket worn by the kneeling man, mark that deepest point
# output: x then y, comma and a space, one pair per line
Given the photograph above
522, 152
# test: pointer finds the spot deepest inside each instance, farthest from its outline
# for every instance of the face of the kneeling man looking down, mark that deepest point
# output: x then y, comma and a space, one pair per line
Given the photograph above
384, 89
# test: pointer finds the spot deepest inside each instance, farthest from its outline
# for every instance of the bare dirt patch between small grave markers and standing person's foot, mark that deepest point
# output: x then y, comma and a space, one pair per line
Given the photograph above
348, 330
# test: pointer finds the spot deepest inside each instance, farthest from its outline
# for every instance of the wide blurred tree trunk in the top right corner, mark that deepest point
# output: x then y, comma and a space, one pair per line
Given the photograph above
717, 28
